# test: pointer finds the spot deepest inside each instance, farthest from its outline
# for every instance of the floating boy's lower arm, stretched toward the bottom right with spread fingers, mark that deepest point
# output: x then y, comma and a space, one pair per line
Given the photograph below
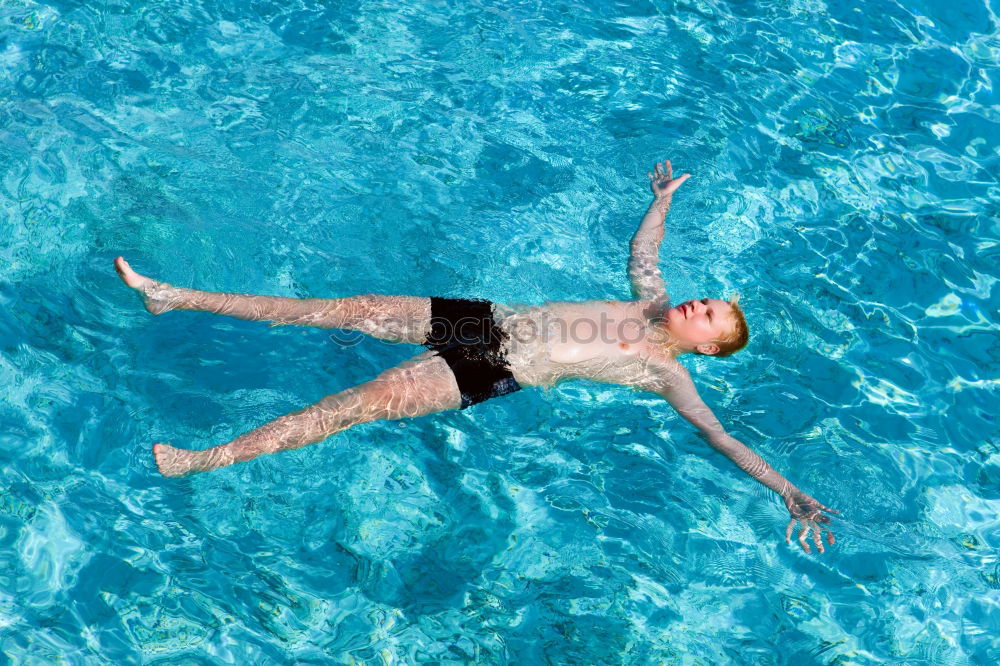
683, 396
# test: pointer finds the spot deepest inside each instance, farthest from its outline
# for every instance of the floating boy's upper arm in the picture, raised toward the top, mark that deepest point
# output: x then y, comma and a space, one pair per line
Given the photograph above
644, 255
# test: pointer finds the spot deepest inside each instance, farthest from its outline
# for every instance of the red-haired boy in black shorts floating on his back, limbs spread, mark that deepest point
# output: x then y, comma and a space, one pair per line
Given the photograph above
479, 350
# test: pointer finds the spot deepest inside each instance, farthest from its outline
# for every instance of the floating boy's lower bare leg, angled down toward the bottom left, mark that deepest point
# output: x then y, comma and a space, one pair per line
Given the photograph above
422, 385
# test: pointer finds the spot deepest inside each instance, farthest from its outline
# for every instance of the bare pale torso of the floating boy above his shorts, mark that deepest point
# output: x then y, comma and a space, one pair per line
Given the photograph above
606, 341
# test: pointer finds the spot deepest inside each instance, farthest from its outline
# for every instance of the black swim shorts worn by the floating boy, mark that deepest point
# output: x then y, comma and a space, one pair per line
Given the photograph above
464, 333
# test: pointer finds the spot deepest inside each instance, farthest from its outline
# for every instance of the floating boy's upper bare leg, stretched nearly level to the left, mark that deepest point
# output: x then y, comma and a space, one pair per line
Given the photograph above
394, 318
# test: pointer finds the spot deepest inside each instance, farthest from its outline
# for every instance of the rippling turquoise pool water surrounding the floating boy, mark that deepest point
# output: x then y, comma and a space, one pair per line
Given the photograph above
845, 161
